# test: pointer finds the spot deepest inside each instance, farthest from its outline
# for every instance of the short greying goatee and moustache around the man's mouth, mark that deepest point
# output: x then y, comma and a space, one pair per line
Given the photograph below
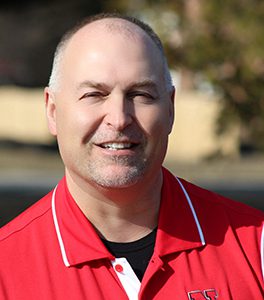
116, 171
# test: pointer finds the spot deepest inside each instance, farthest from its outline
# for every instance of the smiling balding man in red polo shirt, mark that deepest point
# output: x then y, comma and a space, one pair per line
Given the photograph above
118, 225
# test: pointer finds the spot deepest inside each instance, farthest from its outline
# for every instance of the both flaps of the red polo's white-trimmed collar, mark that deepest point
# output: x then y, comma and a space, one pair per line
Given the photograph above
178, 225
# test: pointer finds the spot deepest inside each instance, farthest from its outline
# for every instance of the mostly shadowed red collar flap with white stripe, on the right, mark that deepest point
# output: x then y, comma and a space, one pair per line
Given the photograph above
178, 226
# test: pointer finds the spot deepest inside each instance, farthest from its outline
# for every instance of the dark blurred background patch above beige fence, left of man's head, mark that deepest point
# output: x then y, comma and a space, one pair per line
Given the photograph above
29, 33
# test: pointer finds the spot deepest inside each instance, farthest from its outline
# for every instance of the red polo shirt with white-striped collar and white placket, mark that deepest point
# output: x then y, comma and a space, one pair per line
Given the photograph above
207, 247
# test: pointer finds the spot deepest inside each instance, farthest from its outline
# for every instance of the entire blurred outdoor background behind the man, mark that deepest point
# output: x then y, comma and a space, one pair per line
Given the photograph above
215, 51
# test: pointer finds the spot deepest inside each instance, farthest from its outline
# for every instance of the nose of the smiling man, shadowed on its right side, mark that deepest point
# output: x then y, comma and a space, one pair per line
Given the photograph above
118, 112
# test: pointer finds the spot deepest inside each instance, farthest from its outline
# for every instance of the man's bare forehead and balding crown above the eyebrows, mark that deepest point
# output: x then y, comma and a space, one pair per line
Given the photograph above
111, 46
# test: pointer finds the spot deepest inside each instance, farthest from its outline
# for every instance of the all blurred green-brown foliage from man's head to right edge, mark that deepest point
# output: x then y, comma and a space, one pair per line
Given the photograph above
222, 42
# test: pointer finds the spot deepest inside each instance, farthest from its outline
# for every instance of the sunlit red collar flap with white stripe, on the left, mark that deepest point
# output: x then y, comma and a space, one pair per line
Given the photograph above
77, 237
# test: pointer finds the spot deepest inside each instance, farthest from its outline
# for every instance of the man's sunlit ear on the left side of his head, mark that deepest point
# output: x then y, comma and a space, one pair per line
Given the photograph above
50, 111
